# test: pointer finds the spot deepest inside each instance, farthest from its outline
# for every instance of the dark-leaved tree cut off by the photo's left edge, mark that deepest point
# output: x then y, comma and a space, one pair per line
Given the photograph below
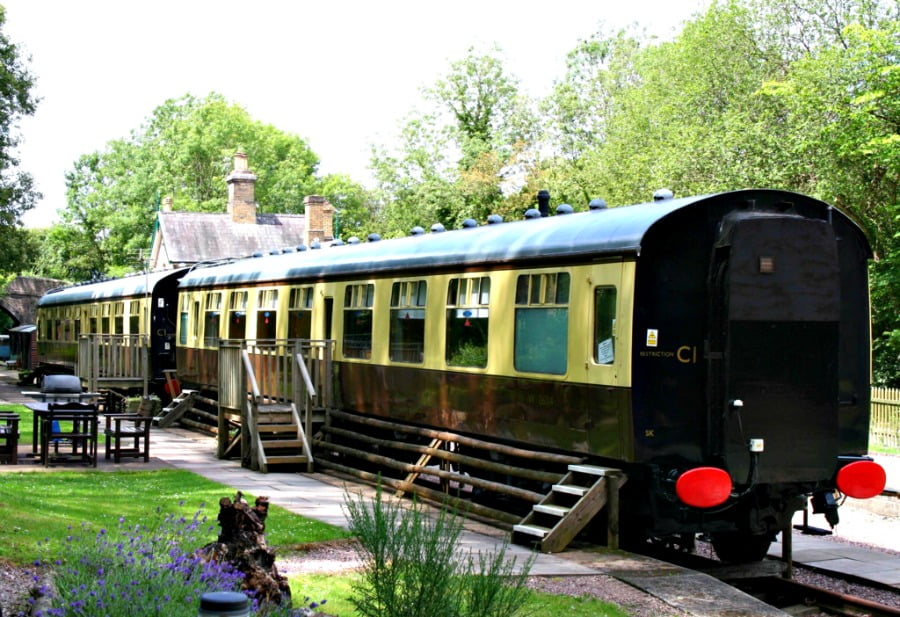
17, 194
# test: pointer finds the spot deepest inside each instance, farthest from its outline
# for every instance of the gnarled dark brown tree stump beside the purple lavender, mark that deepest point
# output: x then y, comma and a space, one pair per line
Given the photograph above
242, 543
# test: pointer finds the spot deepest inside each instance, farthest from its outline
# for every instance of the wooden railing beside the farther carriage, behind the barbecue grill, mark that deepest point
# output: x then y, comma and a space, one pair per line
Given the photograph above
113, 359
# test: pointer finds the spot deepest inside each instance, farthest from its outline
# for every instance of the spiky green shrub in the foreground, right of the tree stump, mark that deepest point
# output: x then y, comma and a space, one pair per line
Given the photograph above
411, 566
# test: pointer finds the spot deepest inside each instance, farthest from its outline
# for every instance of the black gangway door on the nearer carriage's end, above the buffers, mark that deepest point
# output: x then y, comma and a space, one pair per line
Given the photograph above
774, 346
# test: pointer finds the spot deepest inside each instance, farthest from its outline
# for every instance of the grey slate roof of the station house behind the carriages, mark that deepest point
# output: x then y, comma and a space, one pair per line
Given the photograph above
191, 237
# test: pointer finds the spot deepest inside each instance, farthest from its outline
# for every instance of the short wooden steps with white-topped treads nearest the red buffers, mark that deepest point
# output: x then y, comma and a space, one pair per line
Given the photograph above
571, 504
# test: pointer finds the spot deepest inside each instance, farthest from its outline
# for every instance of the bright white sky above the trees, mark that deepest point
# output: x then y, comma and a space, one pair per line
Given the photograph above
342, 74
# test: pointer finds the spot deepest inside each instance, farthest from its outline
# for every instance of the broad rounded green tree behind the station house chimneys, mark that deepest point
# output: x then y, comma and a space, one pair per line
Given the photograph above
183, 150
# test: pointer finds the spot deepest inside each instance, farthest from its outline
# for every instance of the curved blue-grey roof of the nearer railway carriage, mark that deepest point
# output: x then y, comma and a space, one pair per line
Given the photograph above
602, 233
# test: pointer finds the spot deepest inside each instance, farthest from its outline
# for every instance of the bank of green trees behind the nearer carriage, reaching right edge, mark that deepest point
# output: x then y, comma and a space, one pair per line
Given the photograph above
795, 94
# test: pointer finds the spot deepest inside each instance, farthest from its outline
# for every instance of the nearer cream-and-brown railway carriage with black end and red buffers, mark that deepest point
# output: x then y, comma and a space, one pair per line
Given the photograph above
715, 347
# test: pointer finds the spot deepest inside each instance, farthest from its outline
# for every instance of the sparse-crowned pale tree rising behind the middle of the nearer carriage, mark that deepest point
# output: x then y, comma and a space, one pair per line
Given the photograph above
470, 155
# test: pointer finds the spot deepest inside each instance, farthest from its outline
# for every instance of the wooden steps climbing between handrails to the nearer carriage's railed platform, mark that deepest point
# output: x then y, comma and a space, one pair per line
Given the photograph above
280, 438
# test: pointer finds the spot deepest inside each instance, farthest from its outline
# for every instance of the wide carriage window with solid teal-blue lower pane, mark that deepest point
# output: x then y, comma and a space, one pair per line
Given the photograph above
542, 323
